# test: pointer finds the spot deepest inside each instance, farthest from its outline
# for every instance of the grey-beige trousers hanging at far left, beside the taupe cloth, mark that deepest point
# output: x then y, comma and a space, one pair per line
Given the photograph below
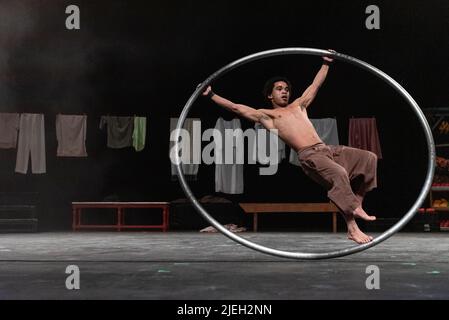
31, 143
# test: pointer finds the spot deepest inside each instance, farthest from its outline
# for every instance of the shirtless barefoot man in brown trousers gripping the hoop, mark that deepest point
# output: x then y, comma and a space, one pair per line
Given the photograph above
336, 168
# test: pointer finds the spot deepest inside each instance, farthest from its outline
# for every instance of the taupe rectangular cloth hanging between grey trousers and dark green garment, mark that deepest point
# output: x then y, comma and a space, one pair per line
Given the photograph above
71, 135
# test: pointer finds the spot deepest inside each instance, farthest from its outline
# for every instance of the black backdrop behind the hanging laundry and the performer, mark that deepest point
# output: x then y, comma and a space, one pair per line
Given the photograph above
146, 58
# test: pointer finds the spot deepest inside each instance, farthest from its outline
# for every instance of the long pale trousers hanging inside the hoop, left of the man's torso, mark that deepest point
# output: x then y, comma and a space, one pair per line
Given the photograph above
228, 177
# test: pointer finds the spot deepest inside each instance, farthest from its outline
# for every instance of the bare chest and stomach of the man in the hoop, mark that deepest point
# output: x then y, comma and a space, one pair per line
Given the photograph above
293, 125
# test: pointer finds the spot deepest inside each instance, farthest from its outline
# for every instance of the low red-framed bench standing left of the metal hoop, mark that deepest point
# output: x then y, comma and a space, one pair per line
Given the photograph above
120, 206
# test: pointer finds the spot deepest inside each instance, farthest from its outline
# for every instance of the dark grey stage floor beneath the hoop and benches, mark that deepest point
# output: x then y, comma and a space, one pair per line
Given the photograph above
200, 266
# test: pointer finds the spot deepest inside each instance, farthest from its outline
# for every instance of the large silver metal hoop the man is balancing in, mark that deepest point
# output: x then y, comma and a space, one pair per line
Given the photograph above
317, 52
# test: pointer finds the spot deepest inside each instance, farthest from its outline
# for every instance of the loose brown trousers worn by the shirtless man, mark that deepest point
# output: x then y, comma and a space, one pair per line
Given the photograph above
346, 173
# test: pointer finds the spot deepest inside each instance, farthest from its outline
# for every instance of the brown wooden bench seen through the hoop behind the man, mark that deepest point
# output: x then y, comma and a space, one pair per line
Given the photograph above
256, 208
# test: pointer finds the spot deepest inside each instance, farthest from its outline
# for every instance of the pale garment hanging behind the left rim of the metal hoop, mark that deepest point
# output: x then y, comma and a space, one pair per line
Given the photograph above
190, 169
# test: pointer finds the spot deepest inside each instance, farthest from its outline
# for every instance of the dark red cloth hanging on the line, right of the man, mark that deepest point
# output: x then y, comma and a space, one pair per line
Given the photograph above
363, 135
